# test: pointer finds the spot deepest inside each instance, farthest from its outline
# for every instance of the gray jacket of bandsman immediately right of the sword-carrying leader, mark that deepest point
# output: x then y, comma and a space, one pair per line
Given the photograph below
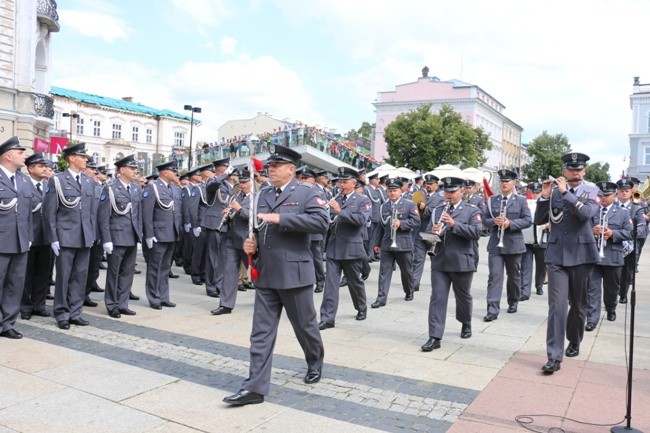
348, 228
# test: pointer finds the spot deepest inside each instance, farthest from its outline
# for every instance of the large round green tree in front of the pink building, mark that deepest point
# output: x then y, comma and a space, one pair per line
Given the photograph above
422, 140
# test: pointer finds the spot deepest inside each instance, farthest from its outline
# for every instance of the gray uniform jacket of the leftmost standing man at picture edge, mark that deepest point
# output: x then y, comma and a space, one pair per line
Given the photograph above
15, 221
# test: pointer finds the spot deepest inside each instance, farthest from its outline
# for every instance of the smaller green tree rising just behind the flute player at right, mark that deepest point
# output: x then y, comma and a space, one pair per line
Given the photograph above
546, 151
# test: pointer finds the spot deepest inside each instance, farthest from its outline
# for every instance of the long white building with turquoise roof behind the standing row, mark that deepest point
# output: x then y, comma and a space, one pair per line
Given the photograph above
113, 128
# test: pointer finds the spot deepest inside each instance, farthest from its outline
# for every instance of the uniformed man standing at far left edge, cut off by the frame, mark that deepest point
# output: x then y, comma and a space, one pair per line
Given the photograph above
16, 226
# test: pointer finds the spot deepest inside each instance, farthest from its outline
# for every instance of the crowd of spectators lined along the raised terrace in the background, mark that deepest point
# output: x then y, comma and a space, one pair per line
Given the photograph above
291, 135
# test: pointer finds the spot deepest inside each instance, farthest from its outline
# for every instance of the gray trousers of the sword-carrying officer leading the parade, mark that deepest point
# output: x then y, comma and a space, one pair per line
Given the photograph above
266, 316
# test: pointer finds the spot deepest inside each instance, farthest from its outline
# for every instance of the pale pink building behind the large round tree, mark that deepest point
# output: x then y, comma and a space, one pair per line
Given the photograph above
477, 107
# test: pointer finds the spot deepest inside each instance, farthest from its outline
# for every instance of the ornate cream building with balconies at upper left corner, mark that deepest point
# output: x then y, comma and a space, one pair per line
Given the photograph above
26, 107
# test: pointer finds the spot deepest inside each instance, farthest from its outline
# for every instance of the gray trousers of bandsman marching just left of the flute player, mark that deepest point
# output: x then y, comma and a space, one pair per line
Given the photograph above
496, 264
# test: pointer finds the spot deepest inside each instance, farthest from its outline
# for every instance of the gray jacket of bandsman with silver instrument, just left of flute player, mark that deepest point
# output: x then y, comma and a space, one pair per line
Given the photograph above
519, 215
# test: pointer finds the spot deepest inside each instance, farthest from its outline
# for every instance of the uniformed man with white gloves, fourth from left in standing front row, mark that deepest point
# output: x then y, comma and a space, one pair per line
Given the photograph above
120, 227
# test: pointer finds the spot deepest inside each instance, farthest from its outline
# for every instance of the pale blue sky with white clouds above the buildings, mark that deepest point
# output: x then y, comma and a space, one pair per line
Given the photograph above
564, 67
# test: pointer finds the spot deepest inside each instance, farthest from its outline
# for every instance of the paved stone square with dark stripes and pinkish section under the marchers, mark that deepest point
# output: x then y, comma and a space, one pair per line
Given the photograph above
168, 370
